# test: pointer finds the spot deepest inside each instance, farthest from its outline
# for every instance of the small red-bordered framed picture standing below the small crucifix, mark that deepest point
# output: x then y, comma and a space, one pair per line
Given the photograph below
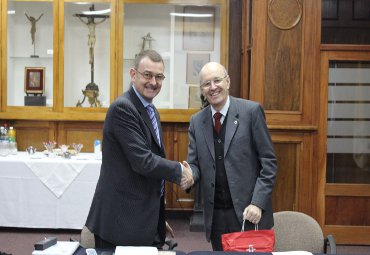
34, 80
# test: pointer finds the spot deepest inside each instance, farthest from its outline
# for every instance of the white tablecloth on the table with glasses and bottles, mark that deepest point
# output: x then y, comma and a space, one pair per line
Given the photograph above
46, 193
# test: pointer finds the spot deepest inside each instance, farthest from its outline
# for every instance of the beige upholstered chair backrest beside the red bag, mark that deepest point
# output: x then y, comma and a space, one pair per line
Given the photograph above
296, 231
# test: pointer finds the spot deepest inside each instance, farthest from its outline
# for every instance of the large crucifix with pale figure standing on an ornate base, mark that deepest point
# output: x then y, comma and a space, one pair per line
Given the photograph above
92, 90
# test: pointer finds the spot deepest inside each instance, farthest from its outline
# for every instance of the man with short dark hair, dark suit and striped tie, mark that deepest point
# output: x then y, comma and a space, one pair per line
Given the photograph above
128, 204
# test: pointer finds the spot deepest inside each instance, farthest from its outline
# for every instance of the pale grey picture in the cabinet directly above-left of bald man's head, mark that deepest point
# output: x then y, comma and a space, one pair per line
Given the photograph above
194, 63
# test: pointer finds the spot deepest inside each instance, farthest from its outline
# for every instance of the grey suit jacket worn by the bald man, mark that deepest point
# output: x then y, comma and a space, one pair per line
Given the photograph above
249, 158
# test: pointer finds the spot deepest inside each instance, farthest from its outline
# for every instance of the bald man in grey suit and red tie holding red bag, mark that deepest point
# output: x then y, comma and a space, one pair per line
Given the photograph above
231, 152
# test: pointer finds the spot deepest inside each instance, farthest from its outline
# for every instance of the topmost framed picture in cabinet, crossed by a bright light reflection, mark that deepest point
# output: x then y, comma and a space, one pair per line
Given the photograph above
198, 29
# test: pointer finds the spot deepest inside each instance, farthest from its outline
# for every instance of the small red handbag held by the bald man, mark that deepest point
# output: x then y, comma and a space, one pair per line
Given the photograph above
249, 241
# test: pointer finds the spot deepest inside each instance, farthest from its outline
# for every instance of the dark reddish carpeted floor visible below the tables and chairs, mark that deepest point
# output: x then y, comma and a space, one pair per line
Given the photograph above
20, 241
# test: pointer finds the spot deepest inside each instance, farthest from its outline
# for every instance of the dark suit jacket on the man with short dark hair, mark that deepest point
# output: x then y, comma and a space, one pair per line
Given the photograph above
126, 204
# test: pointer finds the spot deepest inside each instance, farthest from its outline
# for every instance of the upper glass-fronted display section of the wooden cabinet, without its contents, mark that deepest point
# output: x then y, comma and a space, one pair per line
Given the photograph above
60, 39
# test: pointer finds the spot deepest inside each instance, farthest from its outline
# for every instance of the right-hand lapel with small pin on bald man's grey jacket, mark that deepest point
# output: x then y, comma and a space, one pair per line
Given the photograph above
231, 124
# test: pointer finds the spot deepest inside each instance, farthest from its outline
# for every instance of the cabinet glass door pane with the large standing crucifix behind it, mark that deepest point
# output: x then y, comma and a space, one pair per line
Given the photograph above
86, 54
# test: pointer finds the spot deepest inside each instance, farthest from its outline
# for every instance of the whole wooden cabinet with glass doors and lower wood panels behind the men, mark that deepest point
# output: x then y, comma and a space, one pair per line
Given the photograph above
76, 55
